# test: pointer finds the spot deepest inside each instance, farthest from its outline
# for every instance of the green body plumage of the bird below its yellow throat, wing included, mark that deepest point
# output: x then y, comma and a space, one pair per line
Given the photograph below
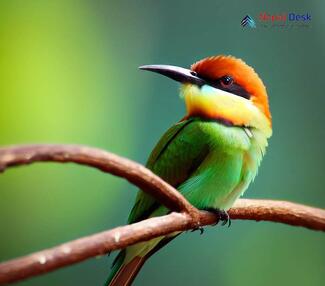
210, 163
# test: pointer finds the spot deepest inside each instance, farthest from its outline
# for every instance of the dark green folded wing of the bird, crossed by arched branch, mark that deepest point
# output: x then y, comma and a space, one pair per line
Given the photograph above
178, 153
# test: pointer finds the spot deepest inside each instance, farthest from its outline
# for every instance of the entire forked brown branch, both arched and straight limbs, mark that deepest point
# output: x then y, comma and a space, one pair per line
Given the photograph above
120, 237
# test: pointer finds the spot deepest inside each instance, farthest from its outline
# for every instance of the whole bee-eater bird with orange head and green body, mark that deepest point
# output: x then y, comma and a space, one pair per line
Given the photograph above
211, 155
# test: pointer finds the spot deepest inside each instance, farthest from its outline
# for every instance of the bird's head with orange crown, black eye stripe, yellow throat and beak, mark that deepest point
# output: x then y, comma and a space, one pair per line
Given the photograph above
222, 88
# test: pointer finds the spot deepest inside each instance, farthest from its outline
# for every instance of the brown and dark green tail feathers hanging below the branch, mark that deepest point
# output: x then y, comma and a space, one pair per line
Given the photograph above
124, 274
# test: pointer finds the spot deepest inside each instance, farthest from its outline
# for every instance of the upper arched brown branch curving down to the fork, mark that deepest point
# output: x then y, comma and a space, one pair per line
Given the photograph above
102, 160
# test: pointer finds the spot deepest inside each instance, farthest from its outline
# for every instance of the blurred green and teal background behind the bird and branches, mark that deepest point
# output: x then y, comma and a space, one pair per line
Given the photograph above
68, 74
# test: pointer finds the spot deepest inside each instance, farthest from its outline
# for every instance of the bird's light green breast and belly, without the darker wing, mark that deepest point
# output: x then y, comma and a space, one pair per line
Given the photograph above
228, 169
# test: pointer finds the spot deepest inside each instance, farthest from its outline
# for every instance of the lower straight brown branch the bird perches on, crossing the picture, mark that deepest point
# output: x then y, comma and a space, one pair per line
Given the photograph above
121, 237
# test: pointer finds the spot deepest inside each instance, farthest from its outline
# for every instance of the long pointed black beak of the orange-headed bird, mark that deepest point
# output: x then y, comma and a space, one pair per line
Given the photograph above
176, 73
